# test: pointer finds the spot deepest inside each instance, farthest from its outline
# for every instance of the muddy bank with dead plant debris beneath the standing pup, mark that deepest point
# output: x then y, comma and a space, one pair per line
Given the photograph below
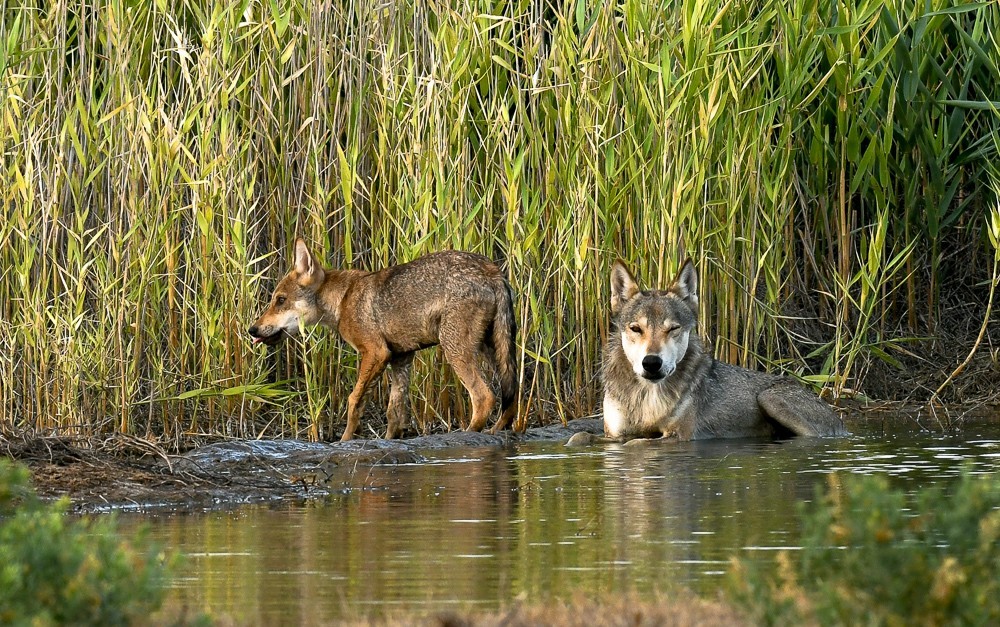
130, 474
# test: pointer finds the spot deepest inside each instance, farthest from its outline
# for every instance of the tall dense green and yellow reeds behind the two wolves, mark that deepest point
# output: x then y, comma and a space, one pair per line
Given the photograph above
825, 162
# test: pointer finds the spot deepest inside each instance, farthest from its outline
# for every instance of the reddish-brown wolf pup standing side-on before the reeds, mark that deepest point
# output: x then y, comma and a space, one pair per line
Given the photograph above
456, 299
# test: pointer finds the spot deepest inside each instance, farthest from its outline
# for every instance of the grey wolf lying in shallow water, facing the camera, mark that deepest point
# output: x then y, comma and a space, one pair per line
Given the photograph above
659, 381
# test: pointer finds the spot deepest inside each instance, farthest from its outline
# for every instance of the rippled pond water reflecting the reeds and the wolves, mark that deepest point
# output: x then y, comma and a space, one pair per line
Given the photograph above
481, 527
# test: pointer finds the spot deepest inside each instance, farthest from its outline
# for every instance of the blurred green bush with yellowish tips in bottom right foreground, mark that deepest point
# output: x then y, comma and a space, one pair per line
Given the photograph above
873, 555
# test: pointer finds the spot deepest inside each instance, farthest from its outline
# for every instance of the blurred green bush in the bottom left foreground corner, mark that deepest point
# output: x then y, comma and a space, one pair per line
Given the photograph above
56, 569
